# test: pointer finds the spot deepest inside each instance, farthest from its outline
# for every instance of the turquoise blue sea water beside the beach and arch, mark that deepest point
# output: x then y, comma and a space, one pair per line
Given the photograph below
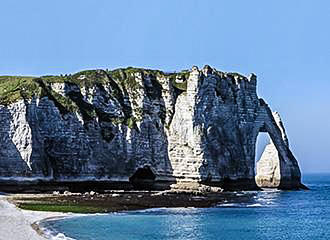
265, 215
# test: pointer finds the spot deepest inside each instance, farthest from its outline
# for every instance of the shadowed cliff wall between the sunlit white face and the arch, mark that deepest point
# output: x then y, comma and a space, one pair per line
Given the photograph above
222, 113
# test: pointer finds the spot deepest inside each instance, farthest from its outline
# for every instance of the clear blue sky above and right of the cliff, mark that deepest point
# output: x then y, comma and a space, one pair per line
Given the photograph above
286, 43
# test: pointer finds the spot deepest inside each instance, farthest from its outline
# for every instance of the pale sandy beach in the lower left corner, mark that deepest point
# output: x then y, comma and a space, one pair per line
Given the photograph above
16, 223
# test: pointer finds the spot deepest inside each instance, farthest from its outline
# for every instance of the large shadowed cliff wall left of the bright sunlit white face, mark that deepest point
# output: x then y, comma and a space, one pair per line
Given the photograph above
68, 154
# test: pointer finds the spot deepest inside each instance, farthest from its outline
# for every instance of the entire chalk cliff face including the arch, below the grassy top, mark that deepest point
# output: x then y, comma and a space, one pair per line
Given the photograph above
203, 130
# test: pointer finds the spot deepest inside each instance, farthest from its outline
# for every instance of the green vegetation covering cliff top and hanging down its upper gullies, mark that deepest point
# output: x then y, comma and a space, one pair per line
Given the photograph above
123, 85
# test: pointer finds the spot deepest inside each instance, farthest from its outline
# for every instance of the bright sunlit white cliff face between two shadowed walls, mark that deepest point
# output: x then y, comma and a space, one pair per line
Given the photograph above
184, 139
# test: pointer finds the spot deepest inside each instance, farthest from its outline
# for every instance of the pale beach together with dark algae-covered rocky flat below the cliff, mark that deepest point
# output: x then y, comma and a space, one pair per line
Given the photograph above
44, 207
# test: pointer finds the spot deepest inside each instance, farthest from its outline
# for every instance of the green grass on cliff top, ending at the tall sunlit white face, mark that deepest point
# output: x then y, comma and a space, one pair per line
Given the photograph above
14, 88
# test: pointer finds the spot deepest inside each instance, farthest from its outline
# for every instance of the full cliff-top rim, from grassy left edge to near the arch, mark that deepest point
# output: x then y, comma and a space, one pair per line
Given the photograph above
14, 88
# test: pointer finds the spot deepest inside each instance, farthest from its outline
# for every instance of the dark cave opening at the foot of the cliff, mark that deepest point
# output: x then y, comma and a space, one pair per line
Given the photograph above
143, 178
